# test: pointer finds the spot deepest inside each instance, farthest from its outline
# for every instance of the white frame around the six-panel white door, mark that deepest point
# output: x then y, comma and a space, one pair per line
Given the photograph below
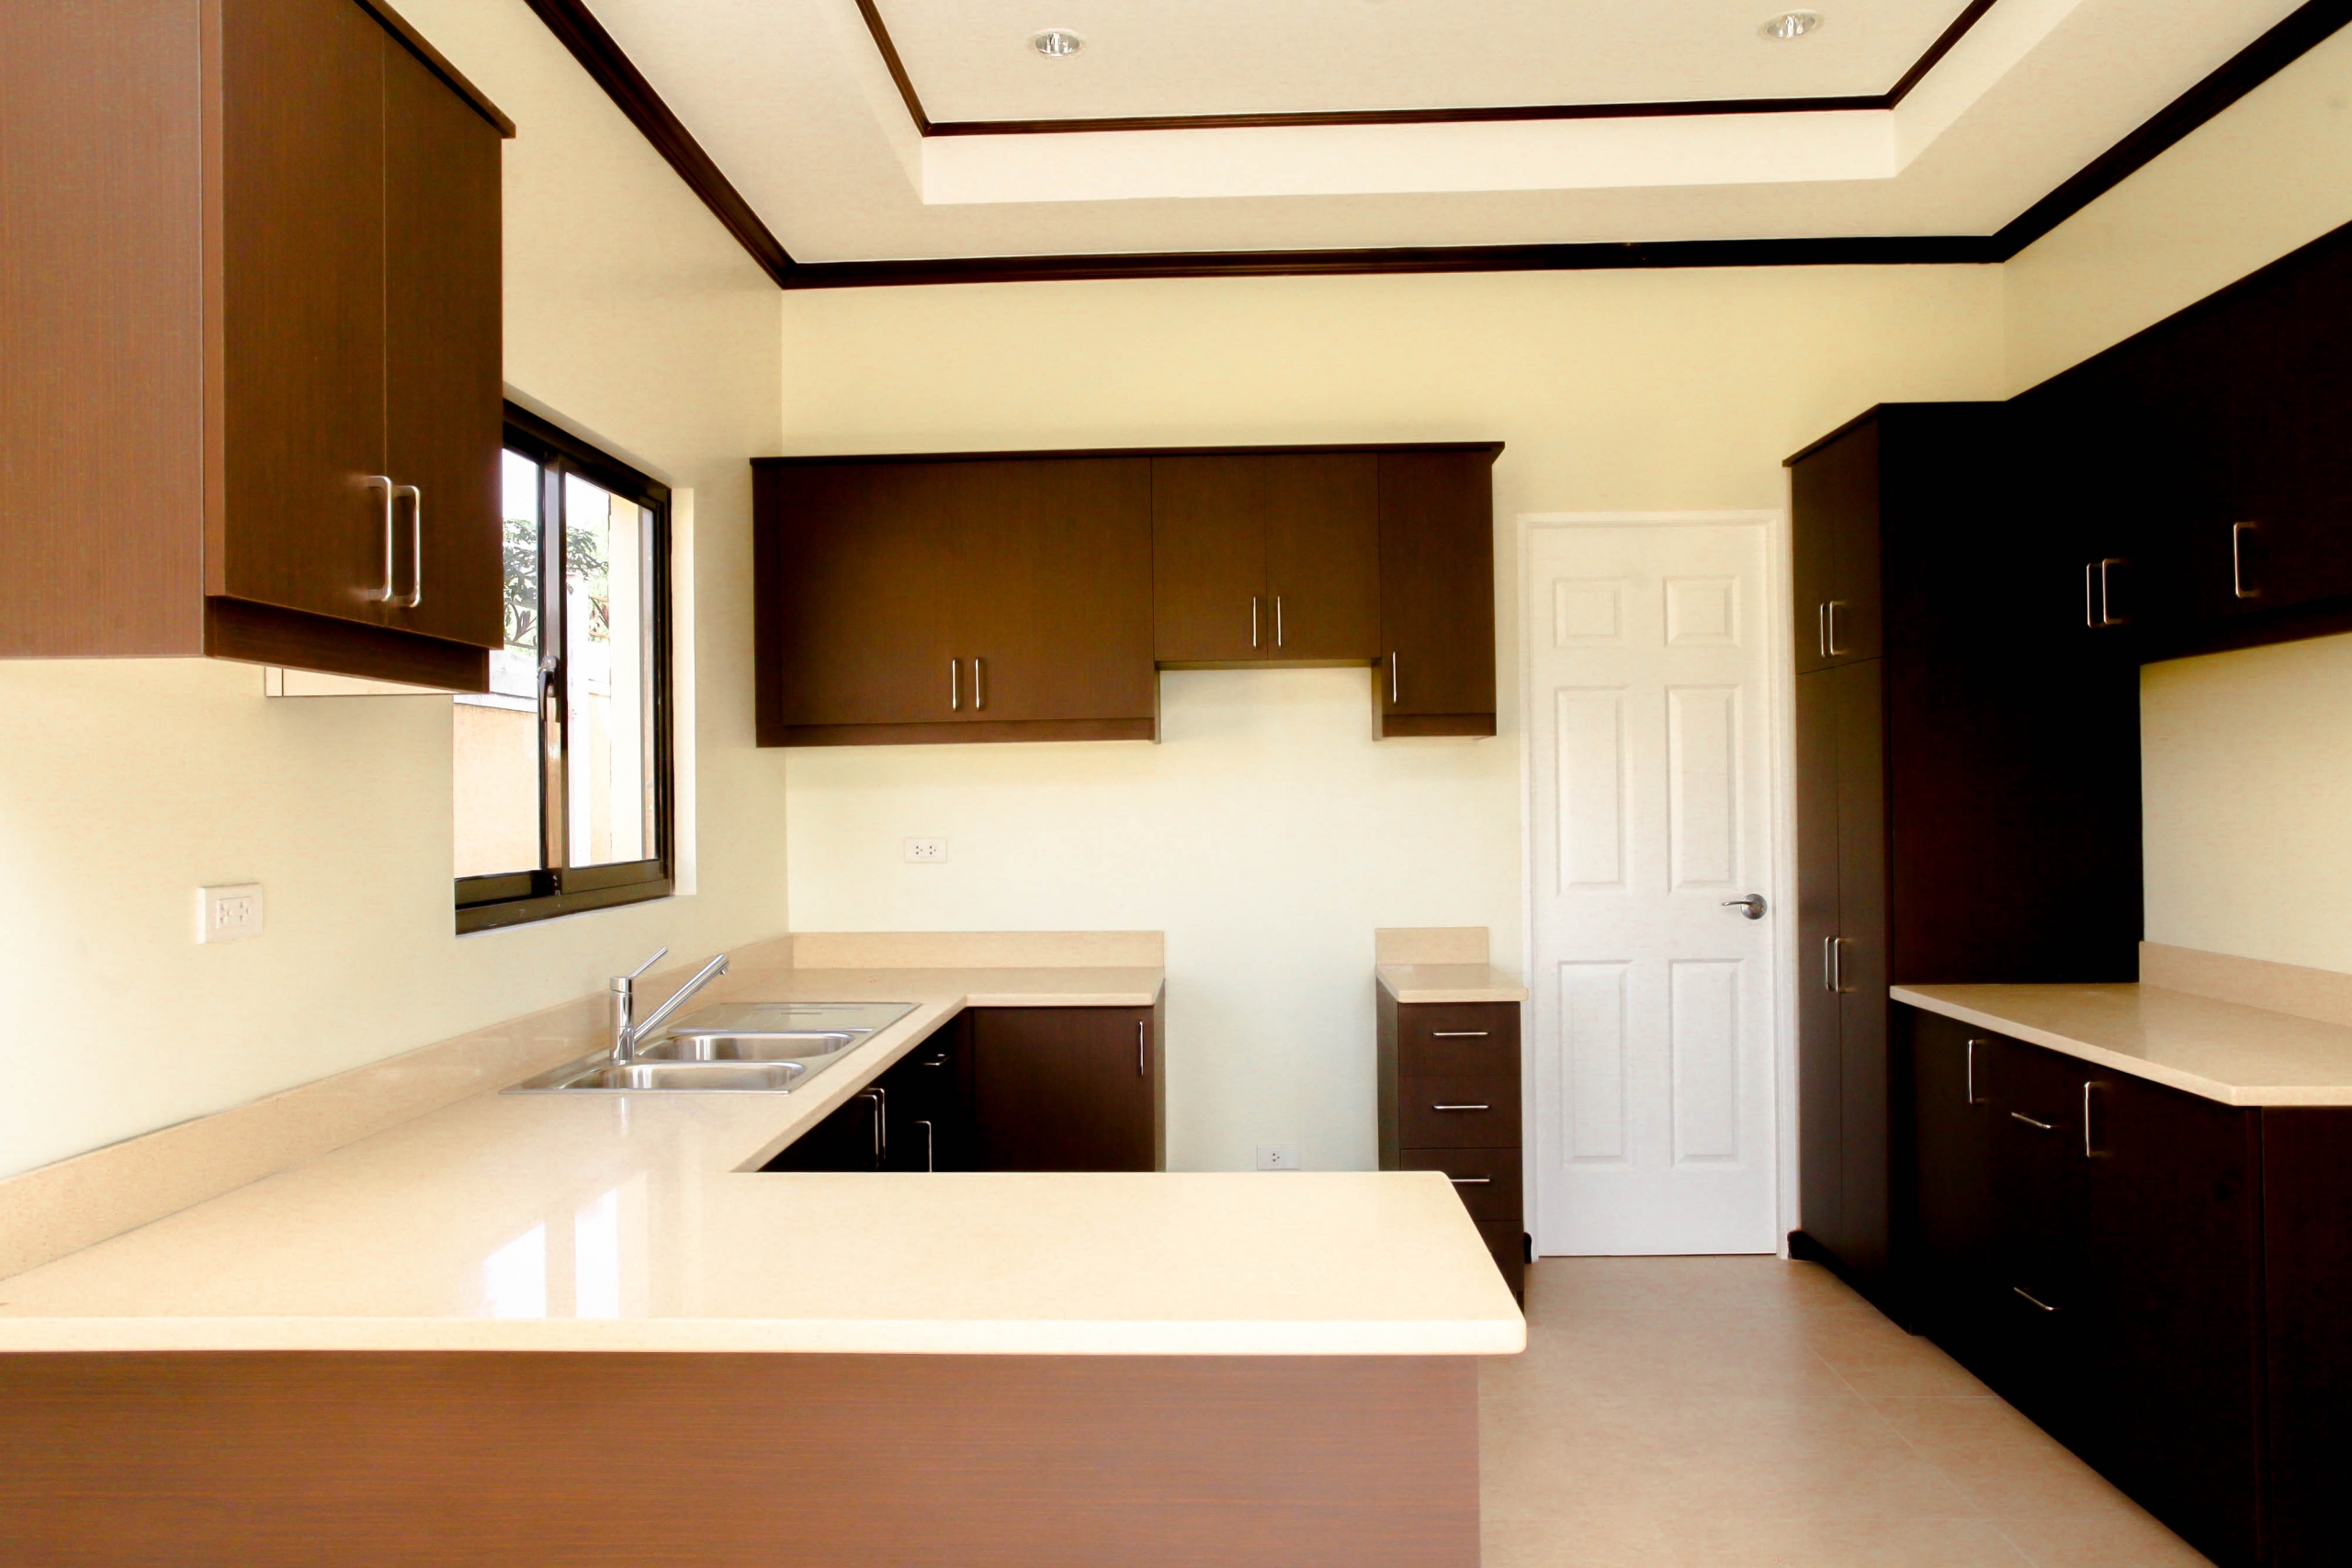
1782, 808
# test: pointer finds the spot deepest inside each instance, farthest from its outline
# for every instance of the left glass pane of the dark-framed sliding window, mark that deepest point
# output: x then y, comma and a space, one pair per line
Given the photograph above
495, 739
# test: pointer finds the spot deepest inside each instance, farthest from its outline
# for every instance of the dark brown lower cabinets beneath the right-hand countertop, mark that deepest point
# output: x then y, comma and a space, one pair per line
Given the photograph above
2092, 1247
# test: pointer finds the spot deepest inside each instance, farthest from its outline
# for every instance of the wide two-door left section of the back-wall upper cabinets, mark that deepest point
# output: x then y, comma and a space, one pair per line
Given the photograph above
907, 601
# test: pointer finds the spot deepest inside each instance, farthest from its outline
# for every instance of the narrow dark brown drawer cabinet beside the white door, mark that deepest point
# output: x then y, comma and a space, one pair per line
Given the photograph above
1450, 1101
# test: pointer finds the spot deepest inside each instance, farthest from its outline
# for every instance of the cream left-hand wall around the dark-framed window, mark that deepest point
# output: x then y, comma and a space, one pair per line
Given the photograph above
128, 786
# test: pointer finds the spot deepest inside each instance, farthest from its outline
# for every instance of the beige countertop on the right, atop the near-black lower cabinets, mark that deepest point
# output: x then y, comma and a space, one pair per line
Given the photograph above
2217, 1050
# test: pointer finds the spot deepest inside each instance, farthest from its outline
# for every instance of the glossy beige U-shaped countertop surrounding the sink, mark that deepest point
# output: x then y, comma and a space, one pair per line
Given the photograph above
643, 1224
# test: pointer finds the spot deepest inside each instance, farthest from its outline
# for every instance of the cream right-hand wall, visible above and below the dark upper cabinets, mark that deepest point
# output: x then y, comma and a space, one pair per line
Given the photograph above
2243, 756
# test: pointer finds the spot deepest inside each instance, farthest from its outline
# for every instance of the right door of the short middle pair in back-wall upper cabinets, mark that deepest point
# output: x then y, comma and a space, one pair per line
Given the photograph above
1323, 556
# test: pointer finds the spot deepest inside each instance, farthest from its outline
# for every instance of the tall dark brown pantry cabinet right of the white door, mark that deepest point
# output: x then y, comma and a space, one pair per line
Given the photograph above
1967, 782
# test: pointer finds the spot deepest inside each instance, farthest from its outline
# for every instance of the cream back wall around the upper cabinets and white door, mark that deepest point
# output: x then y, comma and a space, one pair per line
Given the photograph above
1269, 833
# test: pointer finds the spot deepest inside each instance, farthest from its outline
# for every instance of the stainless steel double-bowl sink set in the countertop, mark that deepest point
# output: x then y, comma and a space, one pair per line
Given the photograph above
737, 1047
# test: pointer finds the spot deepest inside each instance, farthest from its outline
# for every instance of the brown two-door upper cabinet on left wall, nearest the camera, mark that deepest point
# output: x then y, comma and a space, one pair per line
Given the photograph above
262, 283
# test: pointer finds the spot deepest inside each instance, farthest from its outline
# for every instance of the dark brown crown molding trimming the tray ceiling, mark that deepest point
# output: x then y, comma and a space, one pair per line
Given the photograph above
2226, 86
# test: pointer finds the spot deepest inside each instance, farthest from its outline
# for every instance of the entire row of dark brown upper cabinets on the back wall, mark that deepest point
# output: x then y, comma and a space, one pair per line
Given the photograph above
1020, 596
